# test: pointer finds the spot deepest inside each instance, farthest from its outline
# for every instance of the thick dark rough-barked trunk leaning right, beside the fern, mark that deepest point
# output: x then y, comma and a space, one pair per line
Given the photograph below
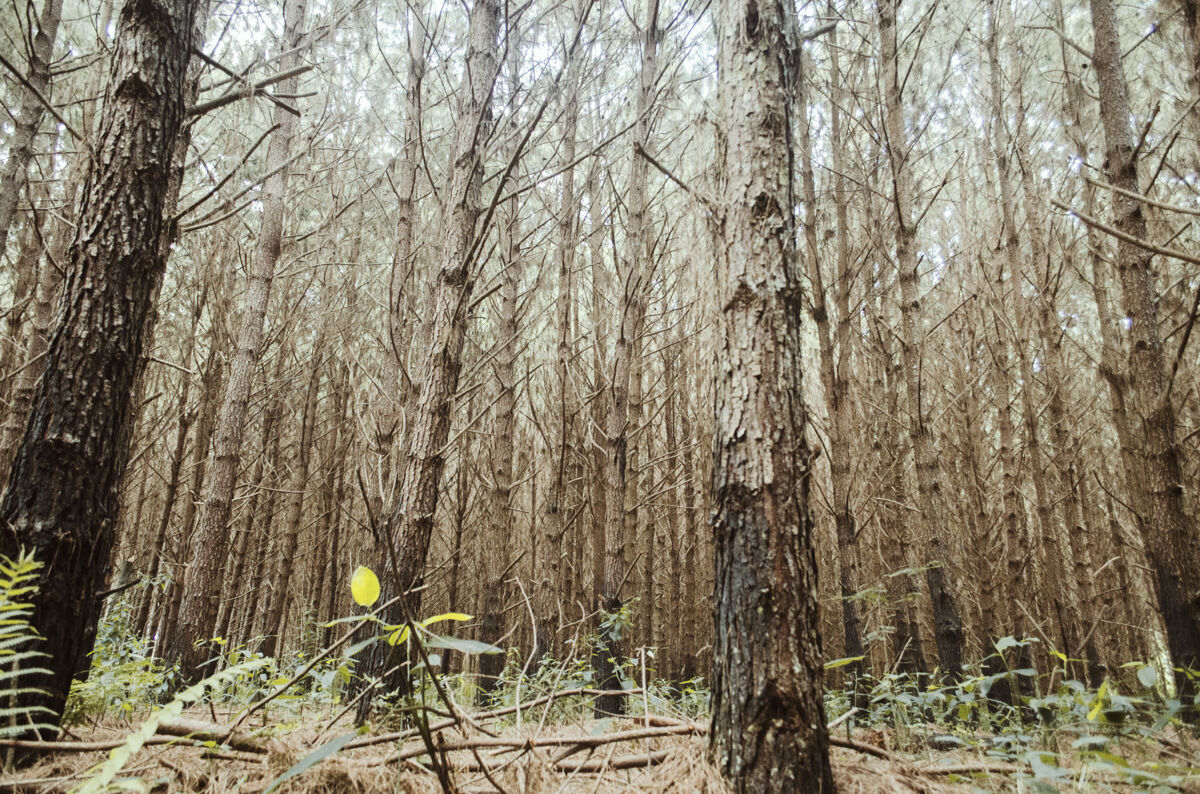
63, 496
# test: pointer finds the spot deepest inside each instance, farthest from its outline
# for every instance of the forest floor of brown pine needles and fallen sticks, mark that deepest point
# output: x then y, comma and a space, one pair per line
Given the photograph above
635, 755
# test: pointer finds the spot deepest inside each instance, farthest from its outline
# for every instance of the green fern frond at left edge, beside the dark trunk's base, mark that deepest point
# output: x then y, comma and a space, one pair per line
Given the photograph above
19, 584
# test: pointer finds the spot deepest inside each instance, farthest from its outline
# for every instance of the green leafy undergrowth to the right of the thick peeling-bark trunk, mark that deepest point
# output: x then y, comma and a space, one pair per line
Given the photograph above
1063, 731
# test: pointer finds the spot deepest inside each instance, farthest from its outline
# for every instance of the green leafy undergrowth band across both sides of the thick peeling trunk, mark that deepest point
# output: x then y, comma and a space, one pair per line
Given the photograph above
1063, 733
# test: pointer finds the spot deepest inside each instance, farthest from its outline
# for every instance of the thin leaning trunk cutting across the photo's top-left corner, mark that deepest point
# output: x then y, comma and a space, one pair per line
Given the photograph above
29, 118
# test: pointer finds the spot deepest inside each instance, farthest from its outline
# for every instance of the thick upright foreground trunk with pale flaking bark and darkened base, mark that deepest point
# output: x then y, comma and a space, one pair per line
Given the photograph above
769, 721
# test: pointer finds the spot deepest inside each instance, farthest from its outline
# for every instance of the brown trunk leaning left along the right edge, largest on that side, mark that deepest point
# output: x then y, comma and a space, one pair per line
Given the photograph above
1171, 533
